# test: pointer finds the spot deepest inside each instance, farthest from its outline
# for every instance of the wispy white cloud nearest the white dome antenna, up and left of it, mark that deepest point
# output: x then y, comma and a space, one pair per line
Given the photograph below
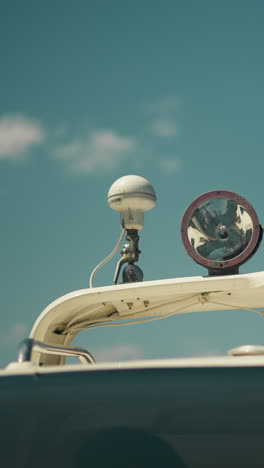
101, 150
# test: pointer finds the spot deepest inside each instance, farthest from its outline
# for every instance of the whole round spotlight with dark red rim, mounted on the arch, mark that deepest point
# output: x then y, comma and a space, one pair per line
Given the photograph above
220, 230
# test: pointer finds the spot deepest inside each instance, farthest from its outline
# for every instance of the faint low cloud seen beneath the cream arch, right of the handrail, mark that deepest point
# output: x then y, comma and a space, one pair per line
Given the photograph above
121, 352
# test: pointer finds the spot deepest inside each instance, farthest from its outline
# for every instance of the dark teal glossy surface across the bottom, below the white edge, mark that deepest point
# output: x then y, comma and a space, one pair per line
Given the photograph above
192, 418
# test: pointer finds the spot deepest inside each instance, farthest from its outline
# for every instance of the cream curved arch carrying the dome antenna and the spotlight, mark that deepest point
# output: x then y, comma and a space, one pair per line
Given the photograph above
64, 318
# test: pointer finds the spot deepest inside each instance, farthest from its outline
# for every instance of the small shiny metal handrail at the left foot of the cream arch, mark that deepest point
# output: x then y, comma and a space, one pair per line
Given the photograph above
27, 346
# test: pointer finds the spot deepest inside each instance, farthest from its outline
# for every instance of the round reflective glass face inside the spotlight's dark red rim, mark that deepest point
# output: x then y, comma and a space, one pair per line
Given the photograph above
220, 229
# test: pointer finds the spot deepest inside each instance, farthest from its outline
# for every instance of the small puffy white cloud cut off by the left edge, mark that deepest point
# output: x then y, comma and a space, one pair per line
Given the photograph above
17, 135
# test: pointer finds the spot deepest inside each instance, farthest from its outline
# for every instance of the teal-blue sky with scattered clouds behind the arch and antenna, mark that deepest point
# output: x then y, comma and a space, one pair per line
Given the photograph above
92, 91
